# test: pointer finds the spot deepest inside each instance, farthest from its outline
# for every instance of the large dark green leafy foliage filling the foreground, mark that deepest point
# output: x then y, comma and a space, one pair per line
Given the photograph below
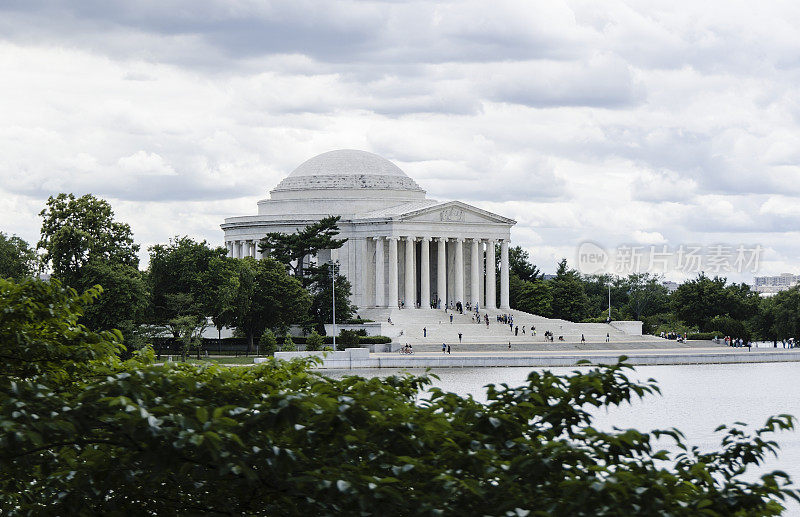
122, 438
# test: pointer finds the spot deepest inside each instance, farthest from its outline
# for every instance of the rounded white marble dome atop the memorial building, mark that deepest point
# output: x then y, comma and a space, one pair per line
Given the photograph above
347, 169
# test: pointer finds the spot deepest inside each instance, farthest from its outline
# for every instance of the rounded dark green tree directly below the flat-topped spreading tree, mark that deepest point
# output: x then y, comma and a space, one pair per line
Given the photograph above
267, 297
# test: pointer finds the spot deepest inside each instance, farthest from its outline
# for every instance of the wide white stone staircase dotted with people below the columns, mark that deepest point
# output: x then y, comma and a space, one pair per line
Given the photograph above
427, 329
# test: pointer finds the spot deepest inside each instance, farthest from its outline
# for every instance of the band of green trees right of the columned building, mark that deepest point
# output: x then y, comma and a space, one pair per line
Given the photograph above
704, 304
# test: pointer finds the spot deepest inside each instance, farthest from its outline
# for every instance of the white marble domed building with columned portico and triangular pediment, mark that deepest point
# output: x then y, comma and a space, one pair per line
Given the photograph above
401, 247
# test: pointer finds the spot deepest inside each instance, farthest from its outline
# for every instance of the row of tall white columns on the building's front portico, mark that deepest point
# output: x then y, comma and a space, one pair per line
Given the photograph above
476, 272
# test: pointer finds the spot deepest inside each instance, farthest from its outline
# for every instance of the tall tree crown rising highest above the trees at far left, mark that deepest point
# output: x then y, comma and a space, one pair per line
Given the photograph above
76, 231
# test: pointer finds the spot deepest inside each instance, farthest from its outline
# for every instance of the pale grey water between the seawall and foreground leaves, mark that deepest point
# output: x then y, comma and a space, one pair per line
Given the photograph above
694, 398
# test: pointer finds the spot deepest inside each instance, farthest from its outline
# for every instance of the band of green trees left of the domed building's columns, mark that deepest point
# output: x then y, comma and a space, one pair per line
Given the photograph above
187, 283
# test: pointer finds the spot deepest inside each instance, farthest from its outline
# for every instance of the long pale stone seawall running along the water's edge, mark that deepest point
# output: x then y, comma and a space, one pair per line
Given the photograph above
357, 358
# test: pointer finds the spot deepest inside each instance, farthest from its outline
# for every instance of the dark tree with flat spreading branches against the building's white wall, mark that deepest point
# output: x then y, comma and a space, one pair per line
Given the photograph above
291, 249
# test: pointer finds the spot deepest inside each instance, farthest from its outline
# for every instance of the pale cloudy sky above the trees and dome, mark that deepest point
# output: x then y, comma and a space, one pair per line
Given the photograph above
638, 124
